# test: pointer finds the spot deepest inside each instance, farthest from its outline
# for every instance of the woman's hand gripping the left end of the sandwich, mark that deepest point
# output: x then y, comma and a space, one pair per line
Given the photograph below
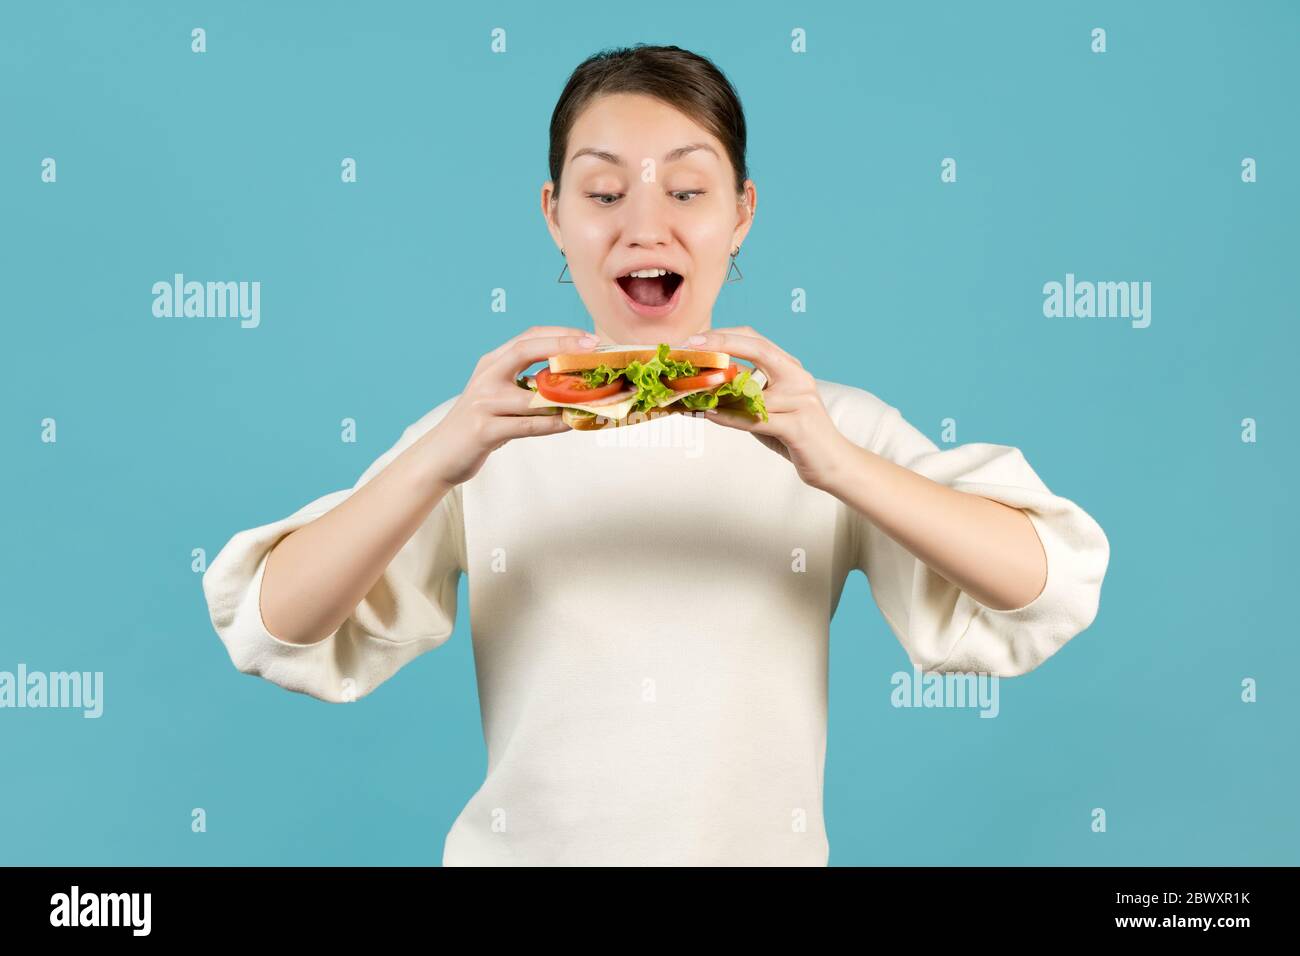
493, 409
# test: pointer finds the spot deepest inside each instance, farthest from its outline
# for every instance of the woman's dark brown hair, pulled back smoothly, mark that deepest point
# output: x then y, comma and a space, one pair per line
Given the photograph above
681, 79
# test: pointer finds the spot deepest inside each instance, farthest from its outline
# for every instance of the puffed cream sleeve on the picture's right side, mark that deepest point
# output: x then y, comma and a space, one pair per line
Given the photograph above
942, 628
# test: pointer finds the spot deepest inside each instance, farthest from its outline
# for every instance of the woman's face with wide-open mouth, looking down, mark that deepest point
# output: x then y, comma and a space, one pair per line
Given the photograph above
635, 194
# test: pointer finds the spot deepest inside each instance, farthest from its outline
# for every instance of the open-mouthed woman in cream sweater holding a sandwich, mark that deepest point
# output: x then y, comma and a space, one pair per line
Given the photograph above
651, 626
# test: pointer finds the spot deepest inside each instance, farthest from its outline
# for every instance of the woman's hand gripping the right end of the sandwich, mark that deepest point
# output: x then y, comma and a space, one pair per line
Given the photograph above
799, 426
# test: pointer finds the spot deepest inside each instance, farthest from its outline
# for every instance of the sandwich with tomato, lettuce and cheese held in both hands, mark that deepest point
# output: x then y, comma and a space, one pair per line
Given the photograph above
626, 384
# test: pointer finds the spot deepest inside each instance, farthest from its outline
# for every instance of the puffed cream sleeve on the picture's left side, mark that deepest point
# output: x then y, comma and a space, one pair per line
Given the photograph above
410, 611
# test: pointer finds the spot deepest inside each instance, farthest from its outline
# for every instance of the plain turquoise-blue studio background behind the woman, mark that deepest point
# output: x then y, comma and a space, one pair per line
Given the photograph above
175, 434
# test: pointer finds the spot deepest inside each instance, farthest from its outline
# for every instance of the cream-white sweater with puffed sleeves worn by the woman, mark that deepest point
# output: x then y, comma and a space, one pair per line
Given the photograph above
651, 616
